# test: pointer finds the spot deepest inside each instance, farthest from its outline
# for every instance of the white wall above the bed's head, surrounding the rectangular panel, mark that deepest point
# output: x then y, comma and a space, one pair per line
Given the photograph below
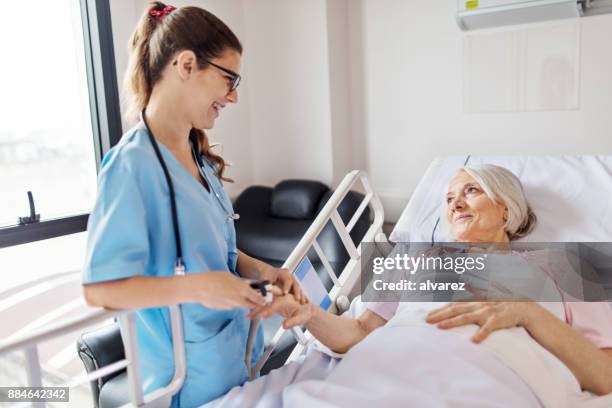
419, 114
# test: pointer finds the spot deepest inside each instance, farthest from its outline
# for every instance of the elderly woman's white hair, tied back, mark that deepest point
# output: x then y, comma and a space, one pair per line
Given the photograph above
502, 186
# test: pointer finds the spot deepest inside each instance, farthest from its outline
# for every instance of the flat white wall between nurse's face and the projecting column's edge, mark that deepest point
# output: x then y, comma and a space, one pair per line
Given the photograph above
288, 73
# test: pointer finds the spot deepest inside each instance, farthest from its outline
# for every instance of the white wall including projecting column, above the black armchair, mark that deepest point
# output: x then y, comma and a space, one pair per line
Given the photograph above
304, 62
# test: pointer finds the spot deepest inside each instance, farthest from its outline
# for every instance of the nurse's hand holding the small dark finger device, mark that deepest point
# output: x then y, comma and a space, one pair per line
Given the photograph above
224, 290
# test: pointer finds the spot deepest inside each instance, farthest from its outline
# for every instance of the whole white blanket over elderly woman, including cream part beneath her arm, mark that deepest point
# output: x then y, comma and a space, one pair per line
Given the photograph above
410, 363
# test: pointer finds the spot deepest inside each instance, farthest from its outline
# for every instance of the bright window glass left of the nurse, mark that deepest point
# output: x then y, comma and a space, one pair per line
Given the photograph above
46, 139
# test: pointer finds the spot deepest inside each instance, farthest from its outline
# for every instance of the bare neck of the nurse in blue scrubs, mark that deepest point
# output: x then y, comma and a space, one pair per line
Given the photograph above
168, 125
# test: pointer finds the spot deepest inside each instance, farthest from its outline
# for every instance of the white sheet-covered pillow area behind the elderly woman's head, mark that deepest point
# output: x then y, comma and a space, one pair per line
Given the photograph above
571, 196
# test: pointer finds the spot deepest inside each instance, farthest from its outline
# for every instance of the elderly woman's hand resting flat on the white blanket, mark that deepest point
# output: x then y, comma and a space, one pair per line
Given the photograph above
490, 316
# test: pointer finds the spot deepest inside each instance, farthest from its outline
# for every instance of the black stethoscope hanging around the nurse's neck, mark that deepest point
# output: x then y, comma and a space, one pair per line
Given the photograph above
179, 266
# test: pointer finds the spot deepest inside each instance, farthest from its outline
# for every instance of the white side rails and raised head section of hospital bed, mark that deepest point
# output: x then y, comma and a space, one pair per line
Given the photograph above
582, 212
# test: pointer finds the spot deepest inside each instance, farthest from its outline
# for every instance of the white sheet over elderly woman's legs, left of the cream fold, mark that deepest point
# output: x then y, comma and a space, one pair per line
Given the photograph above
435, 370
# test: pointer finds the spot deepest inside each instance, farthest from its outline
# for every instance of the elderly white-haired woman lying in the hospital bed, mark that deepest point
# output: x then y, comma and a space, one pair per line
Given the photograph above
484, 204
